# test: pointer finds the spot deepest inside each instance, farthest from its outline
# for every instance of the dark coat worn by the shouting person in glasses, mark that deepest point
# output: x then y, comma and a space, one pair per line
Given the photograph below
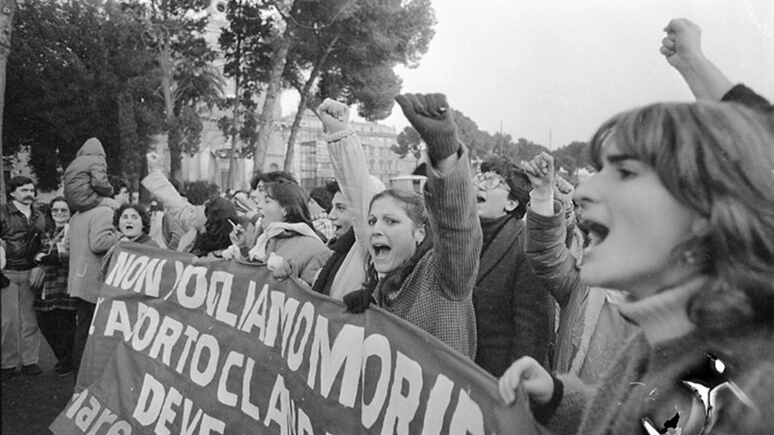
514, 312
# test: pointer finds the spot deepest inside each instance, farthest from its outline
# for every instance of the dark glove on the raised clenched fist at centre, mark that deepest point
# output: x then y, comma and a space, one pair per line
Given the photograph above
431, 117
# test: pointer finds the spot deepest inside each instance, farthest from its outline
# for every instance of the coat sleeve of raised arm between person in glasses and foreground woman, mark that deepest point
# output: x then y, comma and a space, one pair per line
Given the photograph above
548, 256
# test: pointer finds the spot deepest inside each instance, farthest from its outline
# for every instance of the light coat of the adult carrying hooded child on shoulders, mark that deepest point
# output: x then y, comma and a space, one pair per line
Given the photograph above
90, 236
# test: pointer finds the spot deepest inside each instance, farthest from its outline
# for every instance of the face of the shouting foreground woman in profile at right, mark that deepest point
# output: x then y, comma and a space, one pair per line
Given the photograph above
634, 227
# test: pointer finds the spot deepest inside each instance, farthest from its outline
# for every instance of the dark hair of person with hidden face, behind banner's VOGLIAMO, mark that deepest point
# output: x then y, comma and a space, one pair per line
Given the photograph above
218, 211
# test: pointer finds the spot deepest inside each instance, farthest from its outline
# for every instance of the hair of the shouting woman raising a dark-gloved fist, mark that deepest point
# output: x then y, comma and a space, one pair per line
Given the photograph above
414, 206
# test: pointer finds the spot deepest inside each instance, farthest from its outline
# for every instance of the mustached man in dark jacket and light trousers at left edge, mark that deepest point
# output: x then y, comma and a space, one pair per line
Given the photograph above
21, 227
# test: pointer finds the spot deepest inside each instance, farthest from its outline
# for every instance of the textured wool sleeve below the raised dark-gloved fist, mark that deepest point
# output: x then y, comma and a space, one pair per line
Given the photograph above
456, 231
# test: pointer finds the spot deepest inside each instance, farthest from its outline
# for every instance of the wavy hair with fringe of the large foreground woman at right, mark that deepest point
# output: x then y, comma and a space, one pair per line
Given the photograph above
717, 159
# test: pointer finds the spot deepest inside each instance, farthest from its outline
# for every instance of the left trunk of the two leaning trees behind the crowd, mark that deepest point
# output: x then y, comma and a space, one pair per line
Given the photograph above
266, 120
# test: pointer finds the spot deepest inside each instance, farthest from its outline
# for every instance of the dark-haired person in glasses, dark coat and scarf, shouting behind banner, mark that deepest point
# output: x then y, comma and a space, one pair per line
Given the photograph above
514, 311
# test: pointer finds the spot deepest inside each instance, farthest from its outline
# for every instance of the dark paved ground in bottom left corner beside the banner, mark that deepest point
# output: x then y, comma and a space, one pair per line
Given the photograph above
31, 403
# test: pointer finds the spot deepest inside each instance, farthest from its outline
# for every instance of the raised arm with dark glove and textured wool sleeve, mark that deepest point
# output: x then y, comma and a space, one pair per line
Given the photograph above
448, 194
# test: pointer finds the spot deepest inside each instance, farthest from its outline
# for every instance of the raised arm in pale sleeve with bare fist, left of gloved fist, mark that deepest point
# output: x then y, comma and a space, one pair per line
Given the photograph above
349, 166
